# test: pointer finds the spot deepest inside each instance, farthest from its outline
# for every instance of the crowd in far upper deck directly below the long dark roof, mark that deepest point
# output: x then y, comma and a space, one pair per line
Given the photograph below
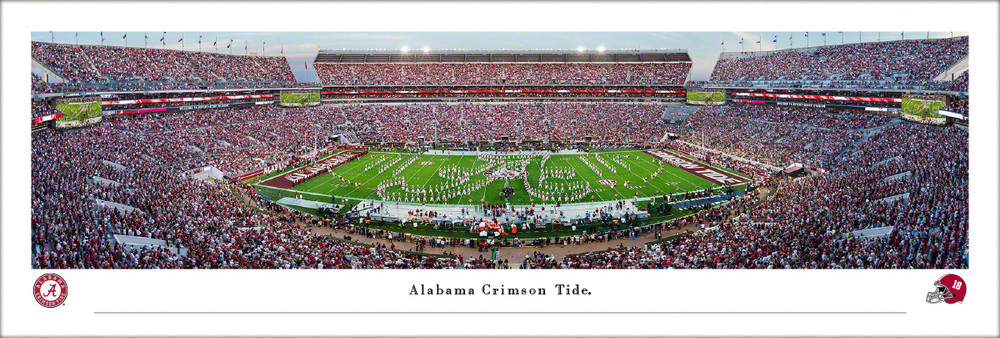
418, 74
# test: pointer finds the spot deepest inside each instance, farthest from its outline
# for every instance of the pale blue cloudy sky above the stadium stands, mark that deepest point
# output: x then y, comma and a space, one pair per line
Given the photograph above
301, 47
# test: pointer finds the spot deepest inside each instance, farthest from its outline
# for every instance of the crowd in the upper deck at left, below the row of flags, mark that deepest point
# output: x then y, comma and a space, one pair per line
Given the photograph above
87, 68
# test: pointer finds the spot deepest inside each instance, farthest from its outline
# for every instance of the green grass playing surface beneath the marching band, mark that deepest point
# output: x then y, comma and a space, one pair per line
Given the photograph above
422, 173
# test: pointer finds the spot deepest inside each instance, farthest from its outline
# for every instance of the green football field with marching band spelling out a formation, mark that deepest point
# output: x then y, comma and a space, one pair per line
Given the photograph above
475, 179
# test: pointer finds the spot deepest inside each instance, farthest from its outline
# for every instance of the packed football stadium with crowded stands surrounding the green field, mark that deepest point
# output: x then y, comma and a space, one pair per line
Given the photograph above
841, 156
